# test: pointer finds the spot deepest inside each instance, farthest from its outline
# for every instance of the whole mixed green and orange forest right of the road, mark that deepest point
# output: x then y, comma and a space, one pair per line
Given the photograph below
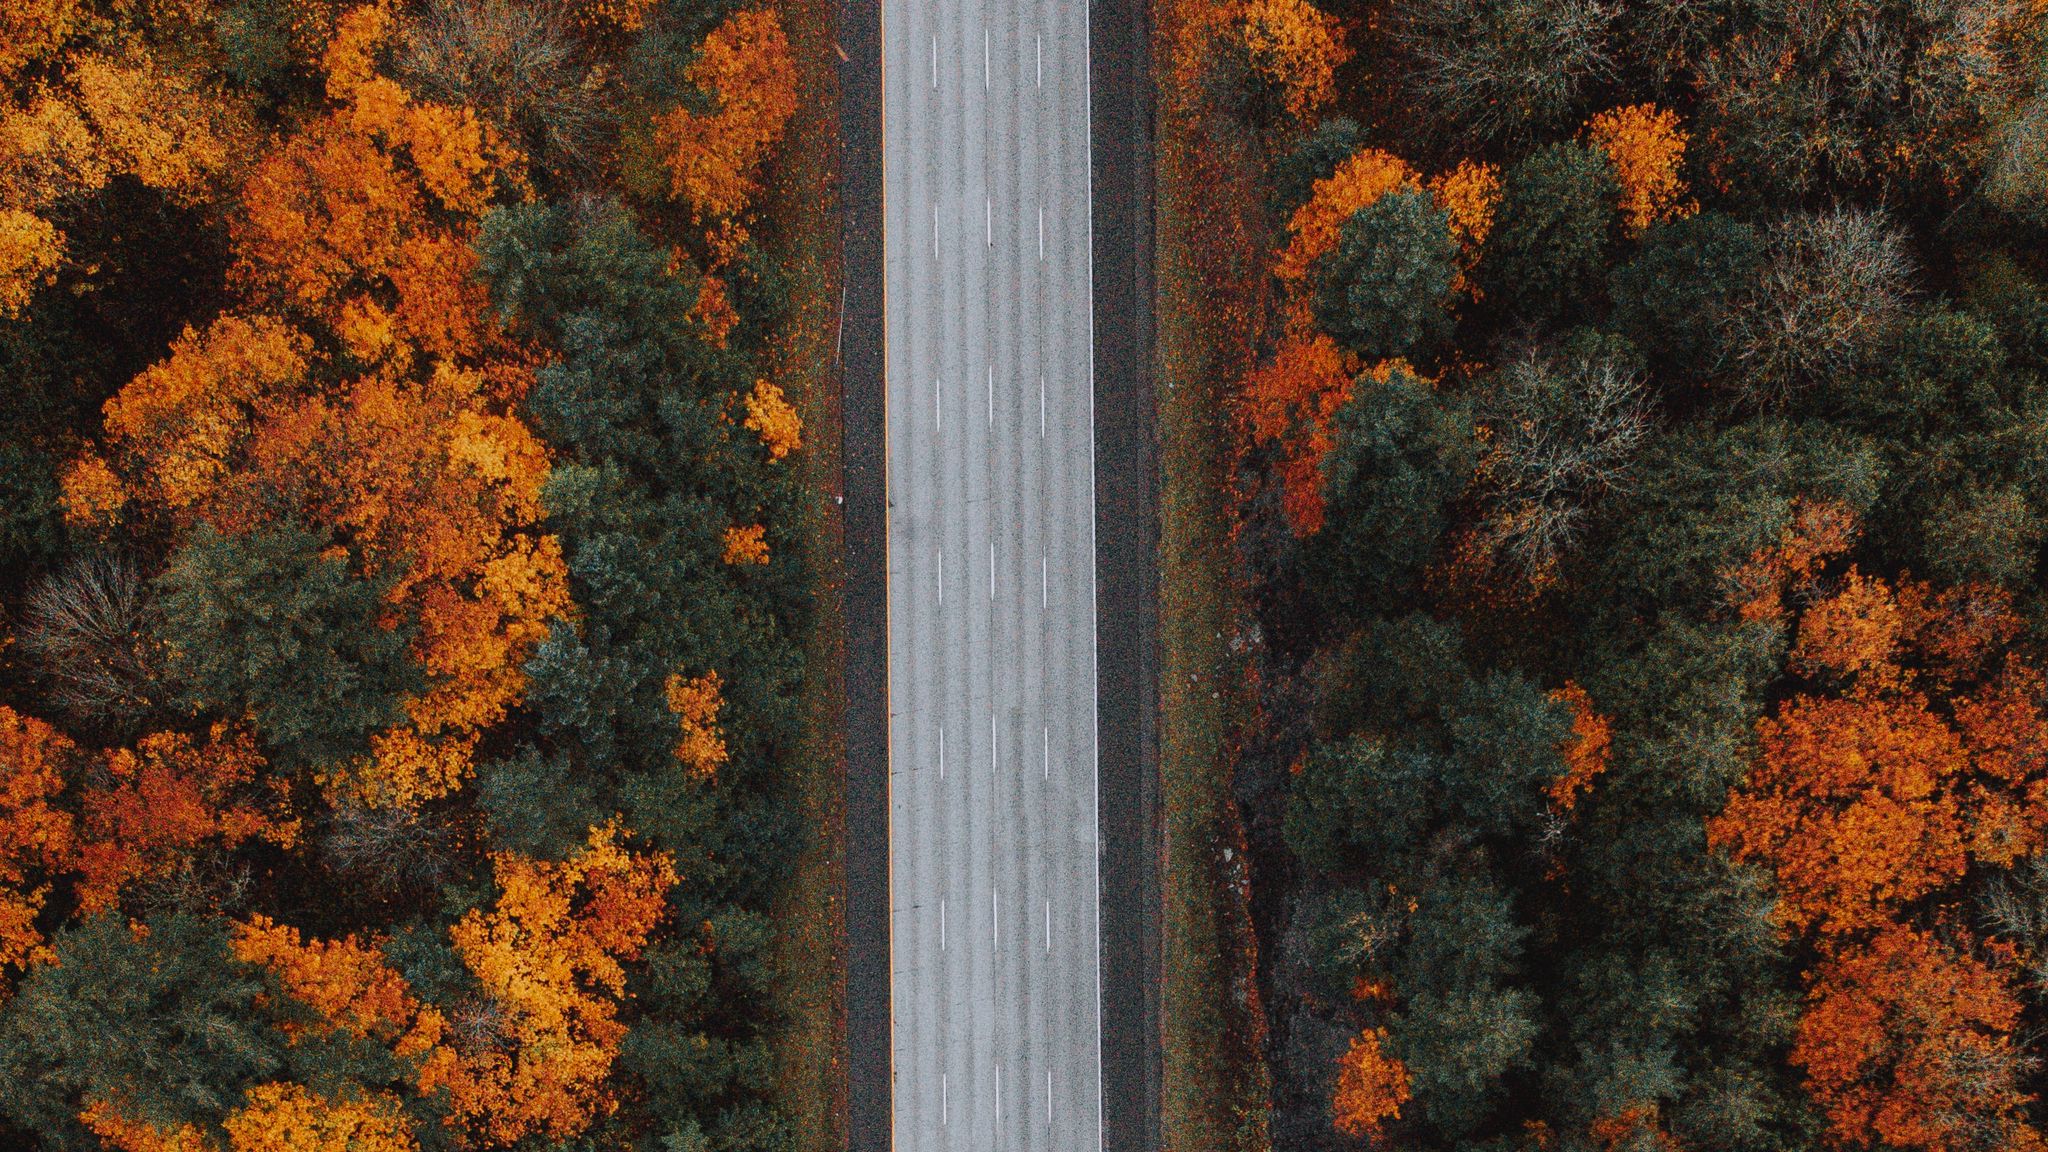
1637, 505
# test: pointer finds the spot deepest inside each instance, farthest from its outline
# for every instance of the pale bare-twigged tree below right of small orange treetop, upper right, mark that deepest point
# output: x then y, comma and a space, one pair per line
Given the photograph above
1832, 288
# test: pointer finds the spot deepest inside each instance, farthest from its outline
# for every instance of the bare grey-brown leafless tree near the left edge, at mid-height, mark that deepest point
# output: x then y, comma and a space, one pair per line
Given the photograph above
93, 630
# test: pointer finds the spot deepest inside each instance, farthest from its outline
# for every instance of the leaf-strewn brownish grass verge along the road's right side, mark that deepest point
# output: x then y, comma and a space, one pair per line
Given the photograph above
1211, 302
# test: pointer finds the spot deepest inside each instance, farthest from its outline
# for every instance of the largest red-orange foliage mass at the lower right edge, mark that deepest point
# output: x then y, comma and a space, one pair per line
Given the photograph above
1869, 800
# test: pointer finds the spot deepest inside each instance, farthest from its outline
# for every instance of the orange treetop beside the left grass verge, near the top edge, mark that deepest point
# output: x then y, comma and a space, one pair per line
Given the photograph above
746, 67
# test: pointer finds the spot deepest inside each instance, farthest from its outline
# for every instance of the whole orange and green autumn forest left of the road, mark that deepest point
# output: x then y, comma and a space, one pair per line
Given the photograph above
402, 587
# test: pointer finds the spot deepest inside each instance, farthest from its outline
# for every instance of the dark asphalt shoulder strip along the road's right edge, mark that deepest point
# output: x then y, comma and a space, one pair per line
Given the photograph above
1127, 548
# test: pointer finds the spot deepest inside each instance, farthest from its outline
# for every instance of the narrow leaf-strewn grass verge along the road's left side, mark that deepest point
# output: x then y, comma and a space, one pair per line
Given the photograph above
804, 212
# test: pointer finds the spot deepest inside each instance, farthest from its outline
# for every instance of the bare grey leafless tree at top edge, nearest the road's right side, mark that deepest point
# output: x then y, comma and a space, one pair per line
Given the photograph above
1504, 67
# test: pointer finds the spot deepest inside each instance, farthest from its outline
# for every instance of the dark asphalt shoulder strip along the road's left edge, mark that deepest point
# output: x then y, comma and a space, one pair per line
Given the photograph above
863, 458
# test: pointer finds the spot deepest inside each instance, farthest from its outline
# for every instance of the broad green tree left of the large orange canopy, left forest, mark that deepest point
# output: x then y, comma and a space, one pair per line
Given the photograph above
271, 626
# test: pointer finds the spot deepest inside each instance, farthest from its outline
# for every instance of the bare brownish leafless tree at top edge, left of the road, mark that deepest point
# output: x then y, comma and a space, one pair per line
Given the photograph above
517, 67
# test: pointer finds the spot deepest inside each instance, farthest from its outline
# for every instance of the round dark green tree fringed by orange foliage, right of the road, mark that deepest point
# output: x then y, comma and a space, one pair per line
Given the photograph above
1385, 290
